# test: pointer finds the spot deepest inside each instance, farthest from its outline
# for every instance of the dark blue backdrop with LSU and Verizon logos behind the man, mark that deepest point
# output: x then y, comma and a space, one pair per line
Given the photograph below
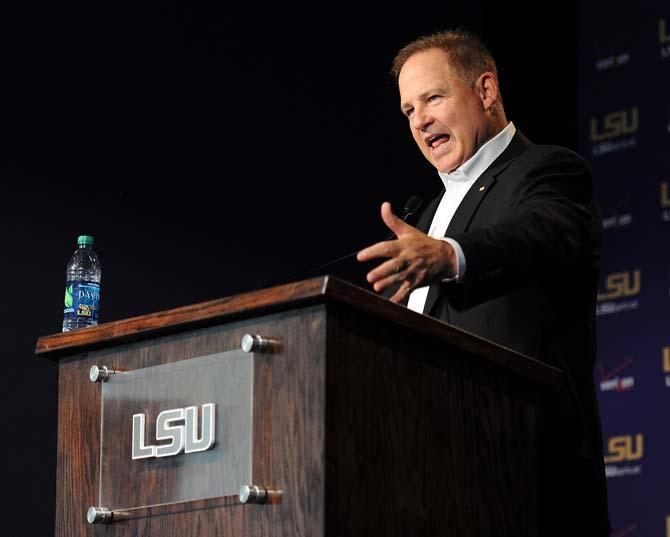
624, 110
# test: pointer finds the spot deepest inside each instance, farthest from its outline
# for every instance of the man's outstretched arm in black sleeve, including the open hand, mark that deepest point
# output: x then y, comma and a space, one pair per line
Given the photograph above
549, 224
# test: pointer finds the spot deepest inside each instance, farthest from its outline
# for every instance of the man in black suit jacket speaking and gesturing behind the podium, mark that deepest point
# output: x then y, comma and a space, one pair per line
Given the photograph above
509, 250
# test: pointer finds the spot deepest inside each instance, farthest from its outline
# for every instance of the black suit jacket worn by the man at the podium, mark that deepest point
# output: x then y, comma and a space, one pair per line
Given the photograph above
531, 232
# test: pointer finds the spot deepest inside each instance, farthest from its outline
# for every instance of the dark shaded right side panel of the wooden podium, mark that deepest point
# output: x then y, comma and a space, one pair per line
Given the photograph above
424, 439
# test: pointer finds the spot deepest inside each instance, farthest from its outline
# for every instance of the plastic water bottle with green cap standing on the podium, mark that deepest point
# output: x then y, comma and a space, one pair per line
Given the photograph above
82, 287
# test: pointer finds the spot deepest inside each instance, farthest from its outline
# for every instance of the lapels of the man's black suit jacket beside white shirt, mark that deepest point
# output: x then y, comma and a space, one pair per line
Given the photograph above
460, 222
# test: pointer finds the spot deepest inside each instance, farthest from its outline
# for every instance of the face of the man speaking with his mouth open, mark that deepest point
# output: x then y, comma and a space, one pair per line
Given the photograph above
446, 116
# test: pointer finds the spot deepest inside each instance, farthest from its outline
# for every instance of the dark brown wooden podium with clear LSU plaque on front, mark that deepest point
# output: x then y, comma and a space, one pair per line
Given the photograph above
367, 419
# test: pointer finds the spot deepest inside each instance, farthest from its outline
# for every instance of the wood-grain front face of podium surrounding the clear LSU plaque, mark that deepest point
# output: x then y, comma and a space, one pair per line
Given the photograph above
289, 403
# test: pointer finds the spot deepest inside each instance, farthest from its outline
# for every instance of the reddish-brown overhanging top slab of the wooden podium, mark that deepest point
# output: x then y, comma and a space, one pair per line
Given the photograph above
322, 290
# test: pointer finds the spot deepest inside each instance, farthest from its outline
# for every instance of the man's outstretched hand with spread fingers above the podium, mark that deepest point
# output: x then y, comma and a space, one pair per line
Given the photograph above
414, 258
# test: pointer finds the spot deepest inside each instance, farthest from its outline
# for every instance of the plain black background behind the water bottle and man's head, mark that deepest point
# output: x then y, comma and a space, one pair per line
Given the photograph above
210, 150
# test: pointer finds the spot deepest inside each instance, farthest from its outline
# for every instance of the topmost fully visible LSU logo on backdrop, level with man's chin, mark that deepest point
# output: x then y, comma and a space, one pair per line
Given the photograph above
613, 131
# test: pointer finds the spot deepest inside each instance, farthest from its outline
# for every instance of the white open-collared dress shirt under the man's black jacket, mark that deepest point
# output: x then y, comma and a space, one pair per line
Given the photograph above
457, 184
